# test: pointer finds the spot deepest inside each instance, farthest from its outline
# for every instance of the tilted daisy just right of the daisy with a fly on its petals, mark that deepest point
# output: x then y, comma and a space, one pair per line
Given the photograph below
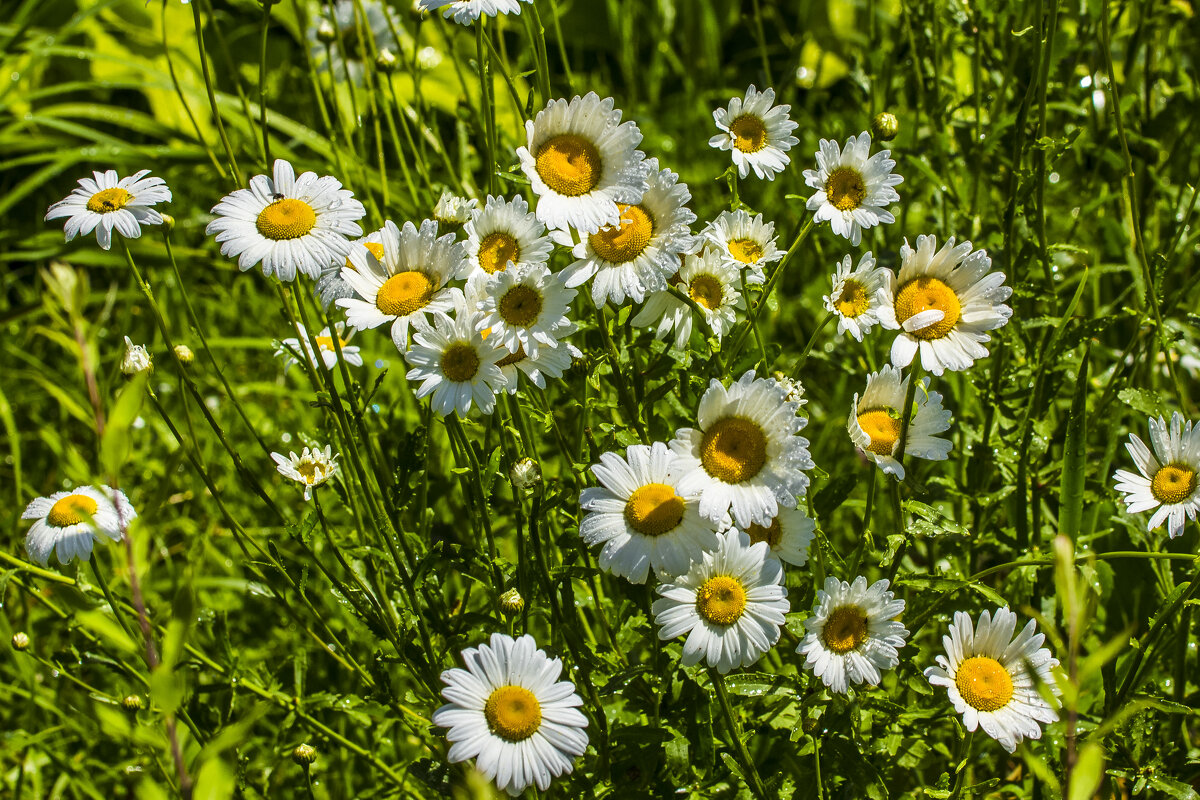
407, 284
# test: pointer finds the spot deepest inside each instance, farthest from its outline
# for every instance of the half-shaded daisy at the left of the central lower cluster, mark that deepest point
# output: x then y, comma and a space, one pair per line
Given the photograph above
641, 519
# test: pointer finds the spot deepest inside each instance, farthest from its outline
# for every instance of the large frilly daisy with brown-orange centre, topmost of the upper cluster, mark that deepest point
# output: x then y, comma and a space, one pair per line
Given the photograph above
583, 161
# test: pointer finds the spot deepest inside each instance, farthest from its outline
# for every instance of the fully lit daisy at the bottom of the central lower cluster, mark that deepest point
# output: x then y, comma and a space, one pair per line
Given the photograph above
731, 605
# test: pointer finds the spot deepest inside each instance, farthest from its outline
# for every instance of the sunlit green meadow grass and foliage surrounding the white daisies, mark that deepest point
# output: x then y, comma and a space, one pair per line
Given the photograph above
1059, 136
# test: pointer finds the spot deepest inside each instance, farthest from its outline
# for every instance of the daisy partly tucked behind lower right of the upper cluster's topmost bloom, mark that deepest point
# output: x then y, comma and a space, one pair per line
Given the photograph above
638, 255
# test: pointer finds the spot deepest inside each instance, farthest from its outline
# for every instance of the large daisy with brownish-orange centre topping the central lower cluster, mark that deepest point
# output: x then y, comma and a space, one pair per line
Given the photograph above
748, 454
